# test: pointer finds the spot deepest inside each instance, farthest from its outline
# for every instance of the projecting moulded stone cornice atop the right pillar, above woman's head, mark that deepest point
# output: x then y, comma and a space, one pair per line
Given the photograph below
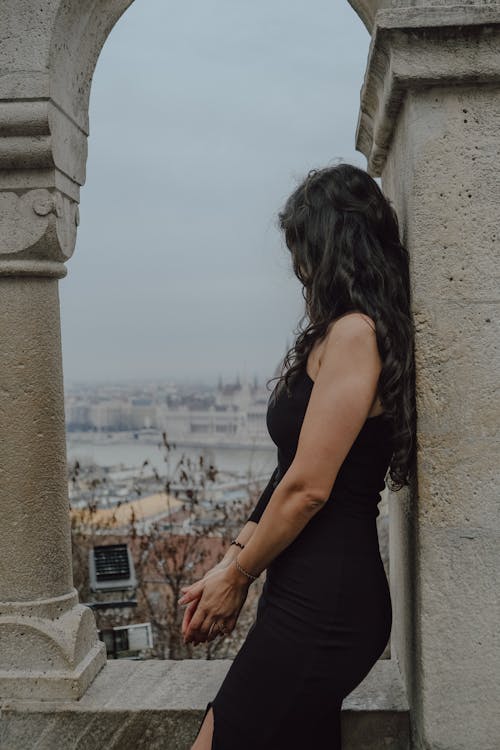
419, 47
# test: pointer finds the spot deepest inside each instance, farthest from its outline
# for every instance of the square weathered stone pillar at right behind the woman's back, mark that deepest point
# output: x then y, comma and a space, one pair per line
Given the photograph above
429, 125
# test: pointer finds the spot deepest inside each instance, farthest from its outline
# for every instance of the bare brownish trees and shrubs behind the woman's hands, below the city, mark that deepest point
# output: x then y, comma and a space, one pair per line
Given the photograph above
168, 553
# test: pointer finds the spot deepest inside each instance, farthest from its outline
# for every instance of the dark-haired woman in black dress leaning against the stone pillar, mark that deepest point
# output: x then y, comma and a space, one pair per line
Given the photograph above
342, 416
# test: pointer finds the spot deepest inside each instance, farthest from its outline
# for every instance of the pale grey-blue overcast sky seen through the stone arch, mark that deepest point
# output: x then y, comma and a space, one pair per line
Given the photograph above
203, 116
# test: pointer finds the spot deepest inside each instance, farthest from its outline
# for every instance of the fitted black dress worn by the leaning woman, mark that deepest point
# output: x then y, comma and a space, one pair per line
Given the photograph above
324, 615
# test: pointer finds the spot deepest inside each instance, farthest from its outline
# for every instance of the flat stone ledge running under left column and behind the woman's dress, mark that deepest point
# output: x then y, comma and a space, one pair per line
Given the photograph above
158, 705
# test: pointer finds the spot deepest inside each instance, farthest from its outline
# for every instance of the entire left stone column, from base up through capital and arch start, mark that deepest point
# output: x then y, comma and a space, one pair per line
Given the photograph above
49, 647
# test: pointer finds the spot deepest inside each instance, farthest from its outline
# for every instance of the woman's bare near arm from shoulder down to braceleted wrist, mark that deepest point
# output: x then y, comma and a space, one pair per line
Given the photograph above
340, 401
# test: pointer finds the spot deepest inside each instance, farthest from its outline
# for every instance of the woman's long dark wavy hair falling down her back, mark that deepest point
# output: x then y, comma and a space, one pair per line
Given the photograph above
343, 236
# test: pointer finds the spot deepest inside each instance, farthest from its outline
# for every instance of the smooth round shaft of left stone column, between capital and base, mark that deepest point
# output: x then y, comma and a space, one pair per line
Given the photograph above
33, 487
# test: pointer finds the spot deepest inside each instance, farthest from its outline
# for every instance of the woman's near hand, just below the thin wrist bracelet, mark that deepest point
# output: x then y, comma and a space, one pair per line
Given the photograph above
217, 597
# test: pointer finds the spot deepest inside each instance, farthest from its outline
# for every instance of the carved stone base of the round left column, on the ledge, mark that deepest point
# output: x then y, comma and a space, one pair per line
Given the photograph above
50, 649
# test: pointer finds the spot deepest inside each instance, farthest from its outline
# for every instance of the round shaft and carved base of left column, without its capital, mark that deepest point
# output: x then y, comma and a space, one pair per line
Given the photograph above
48, 642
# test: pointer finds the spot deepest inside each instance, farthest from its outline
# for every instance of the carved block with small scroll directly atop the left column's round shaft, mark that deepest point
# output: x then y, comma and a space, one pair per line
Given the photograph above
37, 232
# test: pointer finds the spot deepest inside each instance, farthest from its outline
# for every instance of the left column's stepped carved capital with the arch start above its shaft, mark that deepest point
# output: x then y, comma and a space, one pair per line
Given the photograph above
47, 58
